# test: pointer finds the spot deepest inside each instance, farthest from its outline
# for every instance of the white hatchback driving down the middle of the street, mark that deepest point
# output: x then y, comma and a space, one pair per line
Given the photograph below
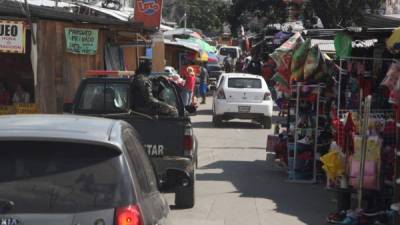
242, 96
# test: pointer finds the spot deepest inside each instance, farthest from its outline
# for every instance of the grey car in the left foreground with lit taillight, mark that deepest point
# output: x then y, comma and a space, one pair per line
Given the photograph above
58, 169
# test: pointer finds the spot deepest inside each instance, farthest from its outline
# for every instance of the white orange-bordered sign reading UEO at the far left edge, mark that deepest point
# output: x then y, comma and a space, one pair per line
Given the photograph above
12, 36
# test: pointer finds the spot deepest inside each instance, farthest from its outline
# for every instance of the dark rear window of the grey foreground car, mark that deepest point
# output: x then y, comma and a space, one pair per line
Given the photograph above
55, 177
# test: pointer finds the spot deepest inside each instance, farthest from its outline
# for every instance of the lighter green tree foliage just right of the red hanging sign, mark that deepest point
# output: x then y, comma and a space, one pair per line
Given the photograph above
207, 15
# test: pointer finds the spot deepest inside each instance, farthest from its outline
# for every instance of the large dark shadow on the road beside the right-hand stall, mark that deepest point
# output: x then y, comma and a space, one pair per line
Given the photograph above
309, 203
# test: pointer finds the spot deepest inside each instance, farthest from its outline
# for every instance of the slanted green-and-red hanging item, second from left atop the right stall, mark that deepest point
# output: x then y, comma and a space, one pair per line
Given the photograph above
298, 59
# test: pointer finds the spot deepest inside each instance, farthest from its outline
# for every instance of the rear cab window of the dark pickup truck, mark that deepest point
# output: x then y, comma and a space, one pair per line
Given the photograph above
101, 97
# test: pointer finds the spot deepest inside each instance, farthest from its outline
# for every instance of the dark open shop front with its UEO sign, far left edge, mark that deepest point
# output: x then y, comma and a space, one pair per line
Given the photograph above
17, 93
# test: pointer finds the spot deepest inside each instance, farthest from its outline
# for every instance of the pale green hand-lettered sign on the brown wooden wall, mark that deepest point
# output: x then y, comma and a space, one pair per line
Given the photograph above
81, 41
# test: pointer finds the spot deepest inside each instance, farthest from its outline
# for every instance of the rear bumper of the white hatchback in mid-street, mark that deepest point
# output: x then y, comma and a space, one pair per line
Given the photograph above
224, 108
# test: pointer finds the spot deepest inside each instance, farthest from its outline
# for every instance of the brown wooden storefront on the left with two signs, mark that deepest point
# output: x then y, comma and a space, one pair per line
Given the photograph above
45, 59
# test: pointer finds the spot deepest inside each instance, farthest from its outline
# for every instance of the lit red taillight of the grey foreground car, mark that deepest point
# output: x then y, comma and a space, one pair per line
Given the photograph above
129, 215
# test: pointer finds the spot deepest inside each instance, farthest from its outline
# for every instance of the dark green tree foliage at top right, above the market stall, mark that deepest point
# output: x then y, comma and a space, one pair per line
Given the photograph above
333, 13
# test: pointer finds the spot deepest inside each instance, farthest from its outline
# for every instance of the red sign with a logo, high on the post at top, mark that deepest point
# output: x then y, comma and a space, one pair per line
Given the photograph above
148, 12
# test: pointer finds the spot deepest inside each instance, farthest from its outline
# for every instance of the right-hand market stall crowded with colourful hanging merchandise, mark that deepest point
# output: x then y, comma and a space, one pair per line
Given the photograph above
341, 123
